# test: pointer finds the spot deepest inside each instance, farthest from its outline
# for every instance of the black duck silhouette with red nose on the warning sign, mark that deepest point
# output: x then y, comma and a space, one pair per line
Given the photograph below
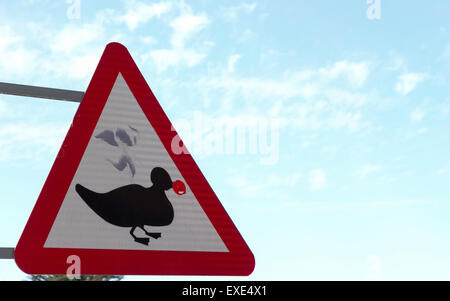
136, 206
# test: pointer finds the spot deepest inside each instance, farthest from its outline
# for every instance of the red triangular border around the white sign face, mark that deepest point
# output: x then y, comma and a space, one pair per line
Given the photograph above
32, 258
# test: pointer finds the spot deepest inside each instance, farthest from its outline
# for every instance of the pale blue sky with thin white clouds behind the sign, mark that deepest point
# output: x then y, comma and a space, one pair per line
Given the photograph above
360, 107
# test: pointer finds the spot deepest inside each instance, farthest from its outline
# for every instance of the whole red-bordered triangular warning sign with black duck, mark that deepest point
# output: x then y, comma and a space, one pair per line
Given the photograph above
121, 196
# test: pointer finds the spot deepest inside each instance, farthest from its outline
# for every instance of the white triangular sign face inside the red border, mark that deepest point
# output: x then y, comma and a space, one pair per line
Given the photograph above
123, 150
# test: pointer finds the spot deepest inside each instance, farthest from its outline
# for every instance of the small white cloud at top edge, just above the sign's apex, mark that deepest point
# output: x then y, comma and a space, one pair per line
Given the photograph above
138, 13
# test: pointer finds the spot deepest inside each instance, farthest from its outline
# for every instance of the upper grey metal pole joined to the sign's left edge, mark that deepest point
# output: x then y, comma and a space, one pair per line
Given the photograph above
41, 92
